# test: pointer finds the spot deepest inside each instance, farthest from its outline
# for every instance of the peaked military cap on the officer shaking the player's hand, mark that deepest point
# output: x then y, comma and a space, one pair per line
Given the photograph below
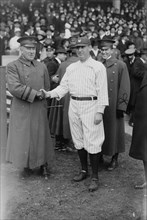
27, 40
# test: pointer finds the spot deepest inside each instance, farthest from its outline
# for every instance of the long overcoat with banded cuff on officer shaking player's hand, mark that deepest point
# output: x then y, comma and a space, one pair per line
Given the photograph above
29, 142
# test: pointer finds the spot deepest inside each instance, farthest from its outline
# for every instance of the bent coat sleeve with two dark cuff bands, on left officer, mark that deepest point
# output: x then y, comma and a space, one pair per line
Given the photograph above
16, 87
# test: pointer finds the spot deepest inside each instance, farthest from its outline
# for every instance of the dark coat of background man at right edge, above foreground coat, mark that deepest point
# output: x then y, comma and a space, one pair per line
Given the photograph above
137, 74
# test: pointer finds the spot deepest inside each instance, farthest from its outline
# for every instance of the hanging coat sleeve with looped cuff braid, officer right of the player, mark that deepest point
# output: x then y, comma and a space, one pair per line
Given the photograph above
123, 87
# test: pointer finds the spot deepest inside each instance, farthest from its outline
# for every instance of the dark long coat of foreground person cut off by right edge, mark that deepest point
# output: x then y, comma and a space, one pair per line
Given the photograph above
138, 148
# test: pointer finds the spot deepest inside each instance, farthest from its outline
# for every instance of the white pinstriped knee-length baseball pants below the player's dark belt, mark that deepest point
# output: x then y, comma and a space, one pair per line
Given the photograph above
85, 133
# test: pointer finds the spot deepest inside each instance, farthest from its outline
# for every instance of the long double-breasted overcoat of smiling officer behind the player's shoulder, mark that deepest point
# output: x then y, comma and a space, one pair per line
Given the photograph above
119, 92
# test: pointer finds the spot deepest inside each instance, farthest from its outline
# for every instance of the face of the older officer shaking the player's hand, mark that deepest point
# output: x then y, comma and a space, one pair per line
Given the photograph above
28, 52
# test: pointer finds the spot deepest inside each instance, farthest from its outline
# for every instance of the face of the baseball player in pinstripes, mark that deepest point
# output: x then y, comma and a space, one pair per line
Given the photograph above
83, 52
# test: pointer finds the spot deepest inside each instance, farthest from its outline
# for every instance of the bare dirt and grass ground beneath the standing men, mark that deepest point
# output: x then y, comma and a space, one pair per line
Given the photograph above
58, 198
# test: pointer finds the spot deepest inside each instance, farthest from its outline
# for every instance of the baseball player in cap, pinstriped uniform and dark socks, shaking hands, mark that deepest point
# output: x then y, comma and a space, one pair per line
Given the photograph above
86, 81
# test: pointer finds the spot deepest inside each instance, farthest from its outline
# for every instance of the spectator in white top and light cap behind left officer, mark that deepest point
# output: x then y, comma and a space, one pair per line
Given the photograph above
13, 43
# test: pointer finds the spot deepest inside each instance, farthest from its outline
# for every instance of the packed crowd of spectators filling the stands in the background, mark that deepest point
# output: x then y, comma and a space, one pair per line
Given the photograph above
58, 21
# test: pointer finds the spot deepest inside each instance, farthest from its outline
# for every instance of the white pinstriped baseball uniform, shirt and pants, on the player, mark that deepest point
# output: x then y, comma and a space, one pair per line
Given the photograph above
85, 79
